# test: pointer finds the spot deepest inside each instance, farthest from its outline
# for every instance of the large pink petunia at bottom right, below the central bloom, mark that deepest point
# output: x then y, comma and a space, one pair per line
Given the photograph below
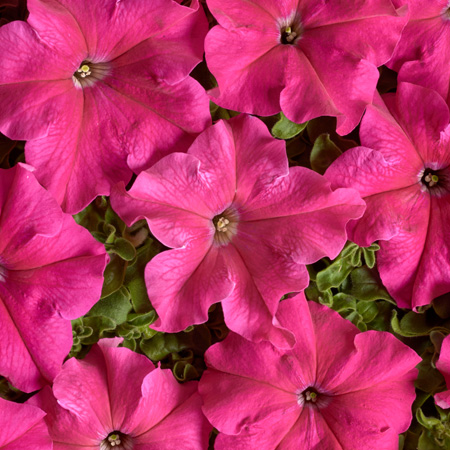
334, 390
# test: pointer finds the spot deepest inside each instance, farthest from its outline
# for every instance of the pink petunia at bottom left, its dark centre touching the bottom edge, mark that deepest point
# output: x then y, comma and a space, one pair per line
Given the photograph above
116, 399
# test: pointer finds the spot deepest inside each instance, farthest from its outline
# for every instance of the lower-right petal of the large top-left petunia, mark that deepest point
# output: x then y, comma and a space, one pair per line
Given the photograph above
157, 117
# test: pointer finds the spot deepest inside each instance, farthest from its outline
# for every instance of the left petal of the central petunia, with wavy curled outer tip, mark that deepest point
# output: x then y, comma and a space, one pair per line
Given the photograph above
174, 198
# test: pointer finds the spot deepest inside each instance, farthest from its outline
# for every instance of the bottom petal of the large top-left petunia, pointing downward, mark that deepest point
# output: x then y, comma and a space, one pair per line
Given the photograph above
74, 161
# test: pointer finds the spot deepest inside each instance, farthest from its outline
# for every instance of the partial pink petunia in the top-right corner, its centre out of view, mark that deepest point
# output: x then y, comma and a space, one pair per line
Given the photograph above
423, 53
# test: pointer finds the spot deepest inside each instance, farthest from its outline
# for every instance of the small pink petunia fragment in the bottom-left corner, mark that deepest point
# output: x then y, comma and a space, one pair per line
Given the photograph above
22, 427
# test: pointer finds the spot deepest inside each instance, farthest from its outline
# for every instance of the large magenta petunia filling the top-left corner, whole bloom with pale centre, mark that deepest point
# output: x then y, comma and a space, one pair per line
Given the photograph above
100, 84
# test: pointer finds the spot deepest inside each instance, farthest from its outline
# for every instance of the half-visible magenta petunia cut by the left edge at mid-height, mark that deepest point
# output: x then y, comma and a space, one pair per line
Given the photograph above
50, 272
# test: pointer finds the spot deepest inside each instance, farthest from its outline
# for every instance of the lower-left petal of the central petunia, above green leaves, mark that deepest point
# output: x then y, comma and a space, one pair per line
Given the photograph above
183, 283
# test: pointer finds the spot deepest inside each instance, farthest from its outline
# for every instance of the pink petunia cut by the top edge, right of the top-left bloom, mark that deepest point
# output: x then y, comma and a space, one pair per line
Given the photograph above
307, 58
